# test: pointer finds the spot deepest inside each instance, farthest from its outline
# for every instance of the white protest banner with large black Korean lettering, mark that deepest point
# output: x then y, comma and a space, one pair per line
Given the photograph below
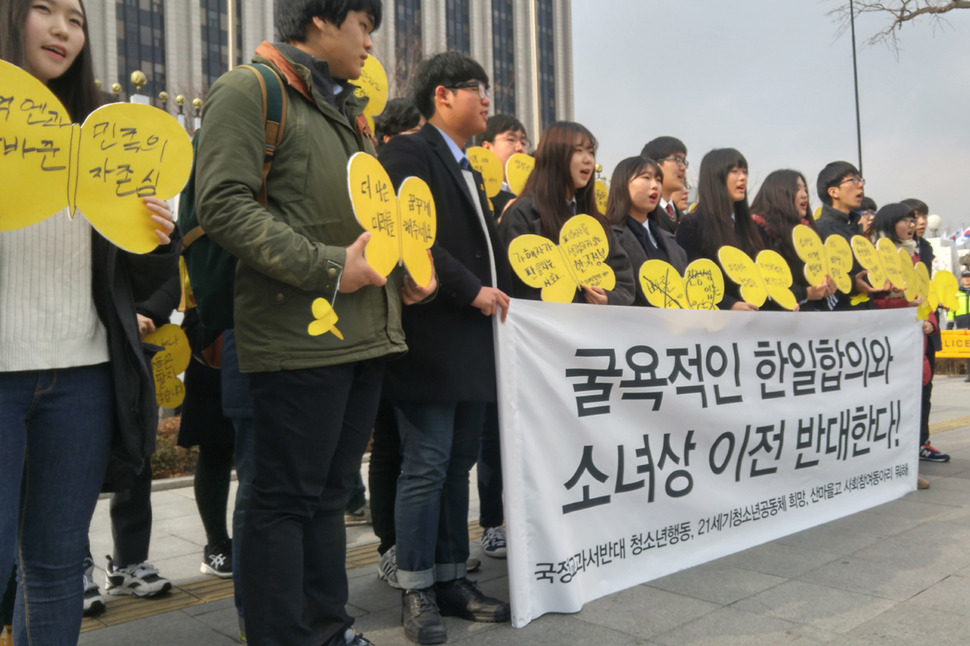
637, 442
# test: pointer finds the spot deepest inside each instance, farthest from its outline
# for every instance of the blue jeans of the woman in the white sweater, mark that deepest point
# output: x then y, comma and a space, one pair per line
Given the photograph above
55, 430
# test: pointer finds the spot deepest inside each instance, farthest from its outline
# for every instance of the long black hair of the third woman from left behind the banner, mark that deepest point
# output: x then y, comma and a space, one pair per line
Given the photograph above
723, 213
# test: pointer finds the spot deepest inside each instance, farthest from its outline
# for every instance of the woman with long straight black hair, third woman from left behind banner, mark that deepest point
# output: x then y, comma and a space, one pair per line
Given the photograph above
722, 217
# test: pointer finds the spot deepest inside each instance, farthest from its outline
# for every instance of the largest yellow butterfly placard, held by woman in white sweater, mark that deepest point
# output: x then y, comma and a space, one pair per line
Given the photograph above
103, 168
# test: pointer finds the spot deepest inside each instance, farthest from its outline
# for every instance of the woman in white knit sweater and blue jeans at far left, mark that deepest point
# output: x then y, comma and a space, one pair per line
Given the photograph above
74, 382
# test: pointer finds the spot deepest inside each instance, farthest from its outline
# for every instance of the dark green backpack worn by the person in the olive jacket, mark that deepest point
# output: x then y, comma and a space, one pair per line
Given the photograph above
211, 268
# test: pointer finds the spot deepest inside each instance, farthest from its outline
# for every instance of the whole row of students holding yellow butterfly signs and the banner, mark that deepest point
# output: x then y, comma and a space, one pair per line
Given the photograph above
415, 363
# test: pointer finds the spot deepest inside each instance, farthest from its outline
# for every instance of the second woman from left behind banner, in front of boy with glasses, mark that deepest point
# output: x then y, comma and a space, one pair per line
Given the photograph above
632, 209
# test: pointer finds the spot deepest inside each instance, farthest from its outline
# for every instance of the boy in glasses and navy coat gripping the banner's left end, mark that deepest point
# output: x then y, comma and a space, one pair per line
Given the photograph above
440, 389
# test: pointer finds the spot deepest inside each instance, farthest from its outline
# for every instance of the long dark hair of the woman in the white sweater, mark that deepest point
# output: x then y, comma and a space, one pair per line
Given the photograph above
75, 88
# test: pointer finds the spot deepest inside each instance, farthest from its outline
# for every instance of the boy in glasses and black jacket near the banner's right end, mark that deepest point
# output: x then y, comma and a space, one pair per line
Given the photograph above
840, 187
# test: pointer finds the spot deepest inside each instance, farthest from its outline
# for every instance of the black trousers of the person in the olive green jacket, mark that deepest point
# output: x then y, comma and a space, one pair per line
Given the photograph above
311, 429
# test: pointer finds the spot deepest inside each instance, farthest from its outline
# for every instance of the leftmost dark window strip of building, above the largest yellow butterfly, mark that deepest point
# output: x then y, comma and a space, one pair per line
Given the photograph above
141, 43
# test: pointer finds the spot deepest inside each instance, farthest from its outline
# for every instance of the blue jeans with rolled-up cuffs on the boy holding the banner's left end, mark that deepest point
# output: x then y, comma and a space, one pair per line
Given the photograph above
439, 446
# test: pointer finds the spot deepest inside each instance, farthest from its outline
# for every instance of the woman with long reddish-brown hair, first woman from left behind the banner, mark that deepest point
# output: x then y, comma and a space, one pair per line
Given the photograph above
562, 185
